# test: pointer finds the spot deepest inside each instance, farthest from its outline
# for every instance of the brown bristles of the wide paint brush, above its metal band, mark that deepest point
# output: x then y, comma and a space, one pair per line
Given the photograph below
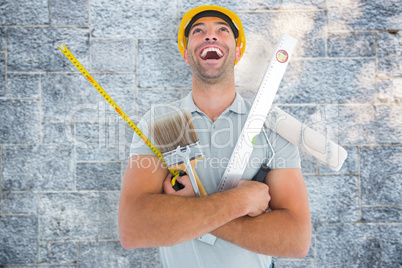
173, 129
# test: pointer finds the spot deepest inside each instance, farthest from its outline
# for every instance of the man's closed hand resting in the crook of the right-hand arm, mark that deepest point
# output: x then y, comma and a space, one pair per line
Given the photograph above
257, 196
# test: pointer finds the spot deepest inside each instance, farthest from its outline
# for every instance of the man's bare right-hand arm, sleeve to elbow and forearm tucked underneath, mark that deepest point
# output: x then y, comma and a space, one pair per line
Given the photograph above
284, 231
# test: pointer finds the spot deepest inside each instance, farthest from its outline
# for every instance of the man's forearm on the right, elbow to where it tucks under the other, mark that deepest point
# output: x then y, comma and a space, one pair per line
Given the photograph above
276, 233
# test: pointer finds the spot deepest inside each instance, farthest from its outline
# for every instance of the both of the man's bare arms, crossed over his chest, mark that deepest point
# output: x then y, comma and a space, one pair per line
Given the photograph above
152, 215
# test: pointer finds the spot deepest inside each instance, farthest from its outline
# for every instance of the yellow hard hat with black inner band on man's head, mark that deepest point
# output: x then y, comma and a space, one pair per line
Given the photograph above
211, 11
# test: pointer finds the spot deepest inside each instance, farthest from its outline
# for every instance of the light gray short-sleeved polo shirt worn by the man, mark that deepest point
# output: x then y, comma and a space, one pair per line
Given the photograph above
217, 141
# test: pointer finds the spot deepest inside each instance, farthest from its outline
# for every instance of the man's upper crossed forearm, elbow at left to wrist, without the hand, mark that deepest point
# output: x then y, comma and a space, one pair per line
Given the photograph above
163, 220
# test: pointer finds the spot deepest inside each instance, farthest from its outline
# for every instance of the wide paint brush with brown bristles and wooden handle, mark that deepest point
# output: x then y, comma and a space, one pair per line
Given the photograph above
175, 137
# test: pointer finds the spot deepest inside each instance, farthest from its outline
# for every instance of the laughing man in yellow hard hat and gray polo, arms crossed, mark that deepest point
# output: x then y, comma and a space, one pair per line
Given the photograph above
152, 214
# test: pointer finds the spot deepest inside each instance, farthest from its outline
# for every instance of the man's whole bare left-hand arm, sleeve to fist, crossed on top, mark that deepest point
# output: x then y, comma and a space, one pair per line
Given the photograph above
148, 217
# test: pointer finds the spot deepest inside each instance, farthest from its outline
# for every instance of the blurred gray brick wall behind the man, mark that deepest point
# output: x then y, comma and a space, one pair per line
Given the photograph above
63, 149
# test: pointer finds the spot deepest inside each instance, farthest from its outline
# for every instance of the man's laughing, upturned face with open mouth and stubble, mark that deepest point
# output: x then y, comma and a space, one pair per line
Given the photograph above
211, 48
